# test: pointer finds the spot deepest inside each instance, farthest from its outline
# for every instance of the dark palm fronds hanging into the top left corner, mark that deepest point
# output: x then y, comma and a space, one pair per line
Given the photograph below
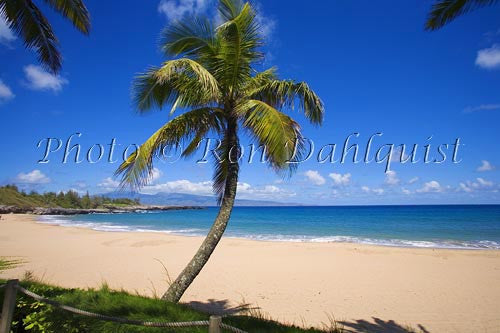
26, 19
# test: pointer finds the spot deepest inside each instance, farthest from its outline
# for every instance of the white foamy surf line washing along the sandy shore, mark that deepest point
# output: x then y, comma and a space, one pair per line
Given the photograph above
436, 243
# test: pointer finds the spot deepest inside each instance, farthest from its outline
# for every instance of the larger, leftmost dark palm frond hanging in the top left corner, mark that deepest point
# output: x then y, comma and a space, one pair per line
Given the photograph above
27, 20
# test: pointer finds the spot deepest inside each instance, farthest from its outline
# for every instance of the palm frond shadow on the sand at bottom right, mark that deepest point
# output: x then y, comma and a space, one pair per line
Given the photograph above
379, 326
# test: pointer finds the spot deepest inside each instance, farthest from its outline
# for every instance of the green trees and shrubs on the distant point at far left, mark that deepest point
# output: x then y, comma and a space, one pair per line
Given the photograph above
11, 196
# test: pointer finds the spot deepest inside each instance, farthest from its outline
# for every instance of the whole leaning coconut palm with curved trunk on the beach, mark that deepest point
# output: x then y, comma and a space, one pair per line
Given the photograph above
215, 79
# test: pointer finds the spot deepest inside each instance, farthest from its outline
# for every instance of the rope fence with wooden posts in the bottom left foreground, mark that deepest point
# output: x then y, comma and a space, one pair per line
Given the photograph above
12, 287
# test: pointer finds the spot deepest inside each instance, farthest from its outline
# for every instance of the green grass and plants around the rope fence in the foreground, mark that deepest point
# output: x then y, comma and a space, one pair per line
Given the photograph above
32, 316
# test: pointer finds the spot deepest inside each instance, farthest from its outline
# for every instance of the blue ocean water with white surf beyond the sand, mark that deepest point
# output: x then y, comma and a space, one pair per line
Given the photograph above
454, 226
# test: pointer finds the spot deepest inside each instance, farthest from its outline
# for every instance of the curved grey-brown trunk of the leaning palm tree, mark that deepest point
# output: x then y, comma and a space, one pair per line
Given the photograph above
187, 276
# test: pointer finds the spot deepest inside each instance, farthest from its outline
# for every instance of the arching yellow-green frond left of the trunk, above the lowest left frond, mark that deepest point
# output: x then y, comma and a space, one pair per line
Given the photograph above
182, 81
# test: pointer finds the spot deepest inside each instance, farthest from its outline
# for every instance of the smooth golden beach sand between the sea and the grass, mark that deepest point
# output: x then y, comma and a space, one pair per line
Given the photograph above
380, 287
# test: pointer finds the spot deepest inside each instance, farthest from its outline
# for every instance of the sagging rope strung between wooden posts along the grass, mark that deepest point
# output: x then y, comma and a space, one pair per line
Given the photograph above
118, 319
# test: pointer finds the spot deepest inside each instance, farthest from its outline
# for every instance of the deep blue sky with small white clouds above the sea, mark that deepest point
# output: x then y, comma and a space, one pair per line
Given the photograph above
372, 64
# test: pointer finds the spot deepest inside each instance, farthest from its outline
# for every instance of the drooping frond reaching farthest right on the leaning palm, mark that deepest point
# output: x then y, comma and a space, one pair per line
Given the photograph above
285, 93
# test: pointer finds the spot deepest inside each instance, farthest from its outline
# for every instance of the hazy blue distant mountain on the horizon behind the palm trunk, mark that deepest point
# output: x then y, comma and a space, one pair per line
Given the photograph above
181, 199
